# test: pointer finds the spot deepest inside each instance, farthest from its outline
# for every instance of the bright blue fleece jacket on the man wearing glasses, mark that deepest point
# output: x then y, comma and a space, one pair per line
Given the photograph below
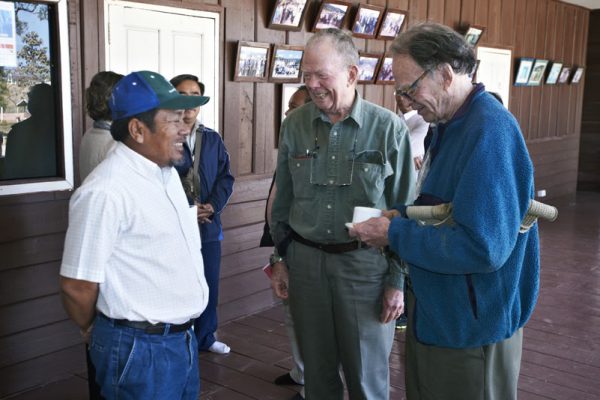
476, 282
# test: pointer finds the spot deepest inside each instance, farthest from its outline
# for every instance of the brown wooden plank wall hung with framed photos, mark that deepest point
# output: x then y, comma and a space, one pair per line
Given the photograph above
39, 345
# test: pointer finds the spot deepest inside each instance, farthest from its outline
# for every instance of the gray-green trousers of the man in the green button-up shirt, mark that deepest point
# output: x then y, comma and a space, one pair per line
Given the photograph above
335, 300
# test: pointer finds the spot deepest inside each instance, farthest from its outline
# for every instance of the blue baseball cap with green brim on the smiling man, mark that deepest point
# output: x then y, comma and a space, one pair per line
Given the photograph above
142, 91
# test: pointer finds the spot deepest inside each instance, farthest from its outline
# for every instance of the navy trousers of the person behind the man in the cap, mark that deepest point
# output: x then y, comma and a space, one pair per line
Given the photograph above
206, 325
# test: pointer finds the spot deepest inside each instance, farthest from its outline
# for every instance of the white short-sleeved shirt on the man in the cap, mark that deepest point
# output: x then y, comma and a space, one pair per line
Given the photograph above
132, 231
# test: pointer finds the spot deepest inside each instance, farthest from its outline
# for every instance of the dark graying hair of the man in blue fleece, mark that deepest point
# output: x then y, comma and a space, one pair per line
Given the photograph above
431, 45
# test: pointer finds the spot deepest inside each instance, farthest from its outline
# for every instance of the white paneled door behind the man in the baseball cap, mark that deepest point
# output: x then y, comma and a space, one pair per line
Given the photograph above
167, 40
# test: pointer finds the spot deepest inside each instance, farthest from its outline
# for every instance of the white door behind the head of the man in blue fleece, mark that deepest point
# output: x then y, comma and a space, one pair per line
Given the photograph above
494, 69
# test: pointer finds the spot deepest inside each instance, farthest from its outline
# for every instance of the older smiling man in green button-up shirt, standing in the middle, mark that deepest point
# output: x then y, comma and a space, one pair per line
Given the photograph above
338, 152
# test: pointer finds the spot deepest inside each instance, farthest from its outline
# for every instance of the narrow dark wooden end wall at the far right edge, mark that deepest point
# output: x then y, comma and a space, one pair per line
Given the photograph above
589, 156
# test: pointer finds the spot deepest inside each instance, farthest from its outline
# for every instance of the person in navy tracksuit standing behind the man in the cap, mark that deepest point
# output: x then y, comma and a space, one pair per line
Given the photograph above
210, 186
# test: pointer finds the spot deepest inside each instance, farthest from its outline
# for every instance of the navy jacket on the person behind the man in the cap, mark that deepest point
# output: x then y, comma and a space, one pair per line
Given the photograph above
216, 181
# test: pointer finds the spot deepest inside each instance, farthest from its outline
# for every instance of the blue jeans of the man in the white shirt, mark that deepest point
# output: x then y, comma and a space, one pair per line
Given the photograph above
131, 364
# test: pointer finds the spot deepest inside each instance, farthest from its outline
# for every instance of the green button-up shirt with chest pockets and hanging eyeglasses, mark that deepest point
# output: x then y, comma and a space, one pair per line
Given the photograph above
324, 170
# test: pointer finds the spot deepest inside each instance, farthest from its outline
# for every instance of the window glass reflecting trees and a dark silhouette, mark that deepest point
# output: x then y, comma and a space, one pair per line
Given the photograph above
29, 92
